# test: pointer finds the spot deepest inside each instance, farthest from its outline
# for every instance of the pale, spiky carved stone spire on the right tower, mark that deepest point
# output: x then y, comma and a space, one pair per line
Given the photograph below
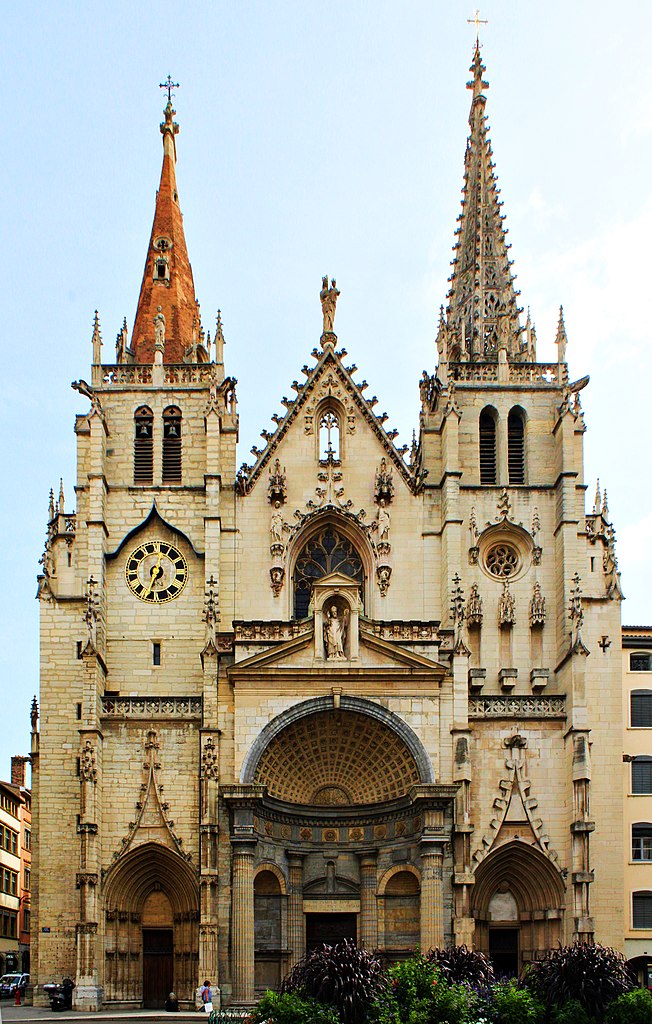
483, 316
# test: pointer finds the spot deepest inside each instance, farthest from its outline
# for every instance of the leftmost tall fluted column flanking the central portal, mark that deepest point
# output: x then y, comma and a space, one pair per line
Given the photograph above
243, 922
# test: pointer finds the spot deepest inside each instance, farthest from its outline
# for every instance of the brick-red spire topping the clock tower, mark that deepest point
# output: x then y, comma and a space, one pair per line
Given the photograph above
167, 281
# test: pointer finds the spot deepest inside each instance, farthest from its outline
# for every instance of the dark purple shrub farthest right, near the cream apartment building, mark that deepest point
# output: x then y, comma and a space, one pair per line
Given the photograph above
593, 975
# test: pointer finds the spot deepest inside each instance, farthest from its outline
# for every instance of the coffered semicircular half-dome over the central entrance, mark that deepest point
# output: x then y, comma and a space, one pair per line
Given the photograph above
362, 754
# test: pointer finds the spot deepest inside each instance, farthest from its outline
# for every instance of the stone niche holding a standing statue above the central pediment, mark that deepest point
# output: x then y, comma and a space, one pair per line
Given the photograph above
336, 605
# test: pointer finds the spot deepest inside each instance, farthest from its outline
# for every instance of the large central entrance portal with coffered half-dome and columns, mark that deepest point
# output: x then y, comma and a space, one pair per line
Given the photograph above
335, 796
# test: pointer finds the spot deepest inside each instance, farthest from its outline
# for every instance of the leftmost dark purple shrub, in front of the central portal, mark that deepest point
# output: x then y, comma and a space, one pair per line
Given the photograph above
341, 976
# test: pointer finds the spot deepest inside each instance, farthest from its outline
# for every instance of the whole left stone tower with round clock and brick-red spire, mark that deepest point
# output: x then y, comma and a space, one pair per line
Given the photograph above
132, 603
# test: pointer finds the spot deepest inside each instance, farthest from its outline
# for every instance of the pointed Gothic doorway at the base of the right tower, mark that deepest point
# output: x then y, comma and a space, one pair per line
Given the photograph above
518, 906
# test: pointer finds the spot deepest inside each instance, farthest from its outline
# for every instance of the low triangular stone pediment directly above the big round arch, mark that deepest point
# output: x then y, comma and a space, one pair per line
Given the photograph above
258, 656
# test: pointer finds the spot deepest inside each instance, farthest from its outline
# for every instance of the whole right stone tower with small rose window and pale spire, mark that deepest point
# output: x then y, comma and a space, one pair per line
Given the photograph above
530, 587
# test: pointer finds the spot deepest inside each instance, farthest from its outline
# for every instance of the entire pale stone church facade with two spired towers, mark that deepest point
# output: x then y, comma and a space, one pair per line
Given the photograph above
350, 691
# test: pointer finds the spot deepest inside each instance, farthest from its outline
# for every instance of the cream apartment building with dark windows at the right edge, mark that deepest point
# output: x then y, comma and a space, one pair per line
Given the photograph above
637, 696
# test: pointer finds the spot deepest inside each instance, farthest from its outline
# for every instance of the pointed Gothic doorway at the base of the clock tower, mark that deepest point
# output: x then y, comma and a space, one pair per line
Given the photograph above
151, 932
